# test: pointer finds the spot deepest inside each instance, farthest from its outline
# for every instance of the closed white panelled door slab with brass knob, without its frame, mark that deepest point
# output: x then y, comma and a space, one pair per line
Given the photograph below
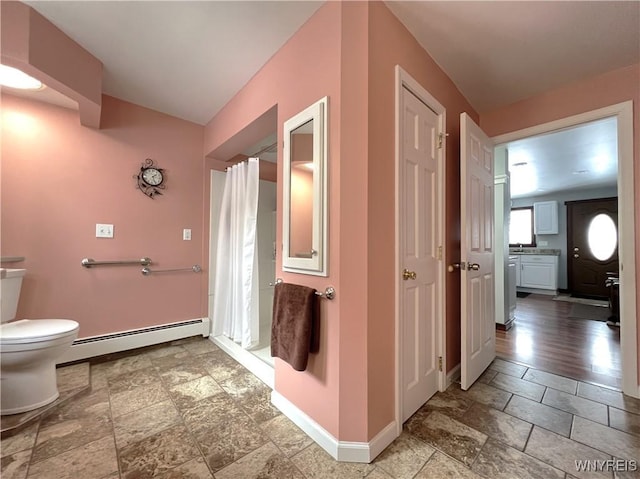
418, 249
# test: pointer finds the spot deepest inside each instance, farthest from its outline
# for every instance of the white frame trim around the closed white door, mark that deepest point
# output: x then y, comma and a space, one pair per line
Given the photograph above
404, 80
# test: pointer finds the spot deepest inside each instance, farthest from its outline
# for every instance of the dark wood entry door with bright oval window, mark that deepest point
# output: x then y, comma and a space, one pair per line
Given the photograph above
592, 251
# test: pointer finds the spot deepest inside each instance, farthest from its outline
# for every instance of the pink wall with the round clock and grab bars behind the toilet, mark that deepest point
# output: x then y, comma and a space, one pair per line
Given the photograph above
59, 179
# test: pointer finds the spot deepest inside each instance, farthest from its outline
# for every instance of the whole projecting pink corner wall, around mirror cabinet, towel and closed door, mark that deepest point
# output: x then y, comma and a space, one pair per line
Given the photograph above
348, 51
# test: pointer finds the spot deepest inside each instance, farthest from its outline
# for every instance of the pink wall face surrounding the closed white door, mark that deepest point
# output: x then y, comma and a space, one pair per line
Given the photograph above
391, 44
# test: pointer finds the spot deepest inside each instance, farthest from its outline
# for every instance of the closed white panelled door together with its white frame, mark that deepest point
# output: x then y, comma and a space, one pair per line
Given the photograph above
420, 121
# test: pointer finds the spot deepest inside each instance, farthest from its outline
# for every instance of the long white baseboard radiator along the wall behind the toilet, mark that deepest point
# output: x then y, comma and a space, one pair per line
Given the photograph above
93, 346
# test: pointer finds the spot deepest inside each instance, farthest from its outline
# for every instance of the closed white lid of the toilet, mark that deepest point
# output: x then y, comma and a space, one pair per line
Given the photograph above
35, 330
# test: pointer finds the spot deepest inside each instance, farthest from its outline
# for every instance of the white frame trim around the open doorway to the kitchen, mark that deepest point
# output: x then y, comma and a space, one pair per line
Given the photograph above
626, 221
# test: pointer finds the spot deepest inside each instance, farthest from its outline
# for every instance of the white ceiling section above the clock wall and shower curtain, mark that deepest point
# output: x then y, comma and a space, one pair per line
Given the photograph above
184, 58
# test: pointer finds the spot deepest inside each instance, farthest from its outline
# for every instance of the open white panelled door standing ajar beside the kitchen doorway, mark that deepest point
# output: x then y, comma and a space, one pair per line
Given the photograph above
477, 266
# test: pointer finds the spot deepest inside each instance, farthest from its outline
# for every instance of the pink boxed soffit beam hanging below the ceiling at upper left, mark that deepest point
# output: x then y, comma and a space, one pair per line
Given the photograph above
37, 47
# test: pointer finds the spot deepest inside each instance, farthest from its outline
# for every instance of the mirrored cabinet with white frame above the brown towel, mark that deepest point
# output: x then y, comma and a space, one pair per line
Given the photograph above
305, 191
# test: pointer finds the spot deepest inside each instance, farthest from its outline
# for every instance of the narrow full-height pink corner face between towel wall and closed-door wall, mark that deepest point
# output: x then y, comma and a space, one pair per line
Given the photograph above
353, 190
